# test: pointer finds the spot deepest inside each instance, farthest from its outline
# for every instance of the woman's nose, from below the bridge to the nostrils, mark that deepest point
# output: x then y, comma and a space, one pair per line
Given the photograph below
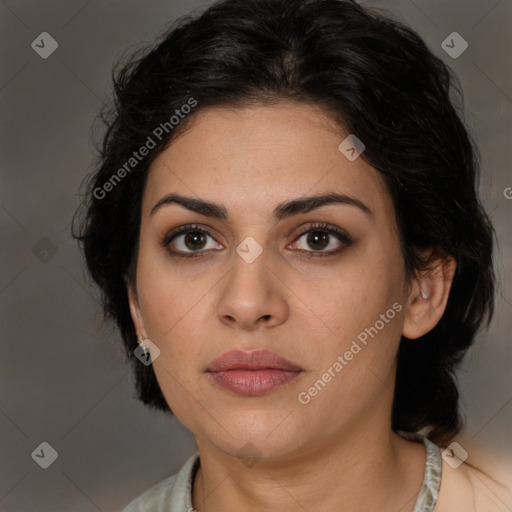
253, 296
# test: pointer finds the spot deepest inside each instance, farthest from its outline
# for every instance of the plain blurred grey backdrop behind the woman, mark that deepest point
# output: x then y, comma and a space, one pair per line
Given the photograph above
63, 379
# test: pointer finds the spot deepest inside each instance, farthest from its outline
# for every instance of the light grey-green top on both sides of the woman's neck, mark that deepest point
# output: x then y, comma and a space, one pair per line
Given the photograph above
174, 494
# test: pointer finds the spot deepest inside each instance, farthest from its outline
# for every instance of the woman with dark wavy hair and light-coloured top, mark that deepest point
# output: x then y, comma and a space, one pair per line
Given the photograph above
285, 227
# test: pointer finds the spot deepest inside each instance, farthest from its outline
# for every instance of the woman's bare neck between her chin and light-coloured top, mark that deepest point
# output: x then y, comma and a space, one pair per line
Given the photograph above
361, 471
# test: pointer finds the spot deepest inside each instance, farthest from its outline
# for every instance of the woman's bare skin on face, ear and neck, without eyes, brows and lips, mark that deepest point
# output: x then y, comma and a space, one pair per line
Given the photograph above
327, 454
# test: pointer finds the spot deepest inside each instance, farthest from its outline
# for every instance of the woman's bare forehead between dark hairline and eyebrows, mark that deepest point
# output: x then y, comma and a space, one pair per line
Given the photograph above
251, 159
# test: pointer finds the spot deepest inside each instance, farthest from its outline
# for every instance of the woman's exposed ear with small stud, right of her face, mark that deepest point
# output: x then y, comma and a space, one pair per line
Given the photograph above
429, 295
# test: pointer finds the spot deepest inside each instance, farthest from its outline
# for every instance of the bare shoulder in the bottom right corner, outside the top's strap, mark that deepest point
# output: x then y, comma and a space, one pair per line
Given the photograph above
468, 487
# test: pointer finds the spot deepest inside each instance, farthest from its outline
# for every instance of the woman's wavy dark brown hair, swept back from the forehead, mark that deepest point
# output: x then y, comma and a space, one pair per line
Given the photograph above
380, 81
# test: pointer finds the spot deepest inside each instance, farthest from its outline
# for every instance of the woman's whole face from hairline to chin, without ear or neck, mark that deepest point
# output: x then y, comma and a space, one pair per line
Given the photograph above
330, 304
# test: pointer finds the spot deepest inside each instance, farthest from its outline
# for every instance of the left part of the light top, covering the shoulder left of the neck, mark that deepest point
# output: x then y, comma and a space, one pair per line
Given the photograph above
173, 493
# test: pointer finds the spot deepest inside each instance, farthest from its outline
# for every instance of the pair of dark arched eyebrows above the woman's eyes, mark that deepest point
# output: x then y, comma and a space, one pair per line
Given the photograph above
282, 211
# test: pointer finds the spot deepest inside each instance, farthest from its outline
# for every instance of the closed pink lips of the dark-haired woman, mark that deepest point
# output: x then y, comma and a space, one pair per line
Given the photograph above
252, 373
